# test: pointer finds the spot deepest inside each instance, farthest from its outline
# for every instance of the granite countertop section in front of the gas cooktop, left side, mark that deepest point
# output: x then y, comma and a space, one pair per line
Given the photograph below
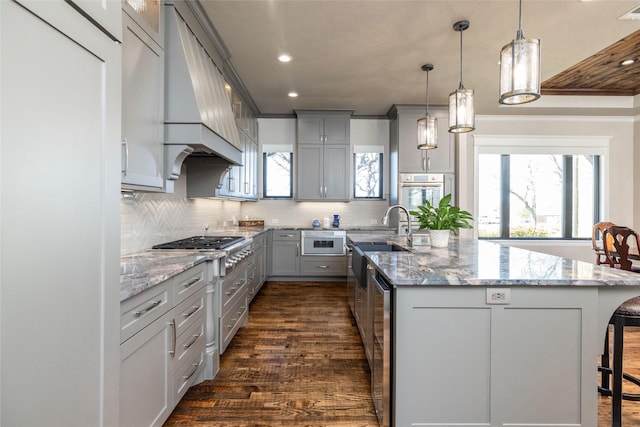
142, 270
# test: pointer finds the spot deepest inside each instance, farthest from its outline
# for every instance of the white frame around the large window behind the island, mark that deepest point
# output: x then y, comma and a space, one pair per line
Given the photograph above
597, 146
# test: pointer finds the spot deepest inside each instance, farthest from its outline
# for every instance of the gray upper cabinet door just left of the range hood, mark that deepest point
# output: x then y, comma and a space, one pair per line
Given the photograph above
142, 108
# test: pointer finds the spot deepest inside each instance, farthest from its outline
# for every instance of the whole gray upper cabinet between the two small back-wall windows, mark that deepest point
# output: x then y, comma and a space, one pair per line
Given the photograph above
323, 156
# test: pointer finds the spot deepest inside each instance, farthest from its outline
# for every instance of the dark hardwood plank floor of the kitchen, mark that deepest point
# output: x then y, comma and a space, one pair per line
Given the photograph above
300, 362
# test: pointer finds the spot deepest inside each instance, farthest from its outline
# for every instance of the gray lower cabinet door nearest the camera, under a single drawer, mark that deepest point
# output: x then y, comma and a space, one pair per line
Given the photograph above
146, 375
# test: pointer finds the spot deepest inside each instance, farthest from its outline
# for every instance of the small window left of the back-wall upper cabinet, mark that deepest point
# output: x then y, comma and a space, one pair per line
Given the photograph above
277, 179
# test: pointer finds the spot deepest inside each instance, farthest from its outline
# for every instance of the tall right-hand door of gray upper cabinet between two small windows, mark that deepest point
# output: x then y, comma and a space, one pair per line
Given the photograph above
336, 172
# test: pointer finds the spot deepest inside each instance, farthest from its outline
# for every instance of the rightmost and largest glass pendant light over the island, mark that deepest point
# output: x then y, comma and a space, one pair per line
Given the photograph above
520, 69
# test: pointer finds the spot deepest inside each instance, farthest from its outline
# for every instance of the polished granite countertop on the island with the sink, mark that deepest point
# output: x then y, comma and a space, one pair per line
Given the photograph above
472, 262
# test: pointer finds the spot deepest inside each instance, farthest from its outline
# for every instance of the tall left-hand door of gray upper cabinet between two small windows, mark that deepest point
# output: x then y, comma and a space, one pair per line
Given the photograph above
309, 172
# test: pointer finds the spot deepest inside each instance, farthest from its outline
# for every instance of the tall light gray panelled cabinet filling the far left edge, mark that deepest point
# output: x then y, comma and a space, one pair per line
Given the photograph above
60, 97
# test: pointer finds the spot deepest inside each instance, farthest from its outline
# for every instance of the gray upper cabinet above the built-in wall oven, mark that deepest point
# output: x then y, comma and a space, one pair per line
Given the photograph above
403, 140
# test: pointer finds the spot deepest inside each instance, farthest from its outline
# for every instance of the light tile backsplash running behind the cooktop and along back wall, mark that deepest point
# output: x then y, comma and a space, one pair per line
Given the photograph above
151, 218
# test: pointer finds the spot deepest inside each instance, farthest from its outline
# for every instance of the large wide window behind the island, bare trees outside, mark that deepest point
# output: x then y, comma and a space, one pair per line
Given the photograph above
539, 192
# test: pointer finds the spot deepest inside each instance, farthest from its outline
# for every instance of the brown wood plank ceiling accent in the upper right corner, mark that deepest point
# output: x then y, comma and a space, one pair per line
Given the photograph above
601, 74
